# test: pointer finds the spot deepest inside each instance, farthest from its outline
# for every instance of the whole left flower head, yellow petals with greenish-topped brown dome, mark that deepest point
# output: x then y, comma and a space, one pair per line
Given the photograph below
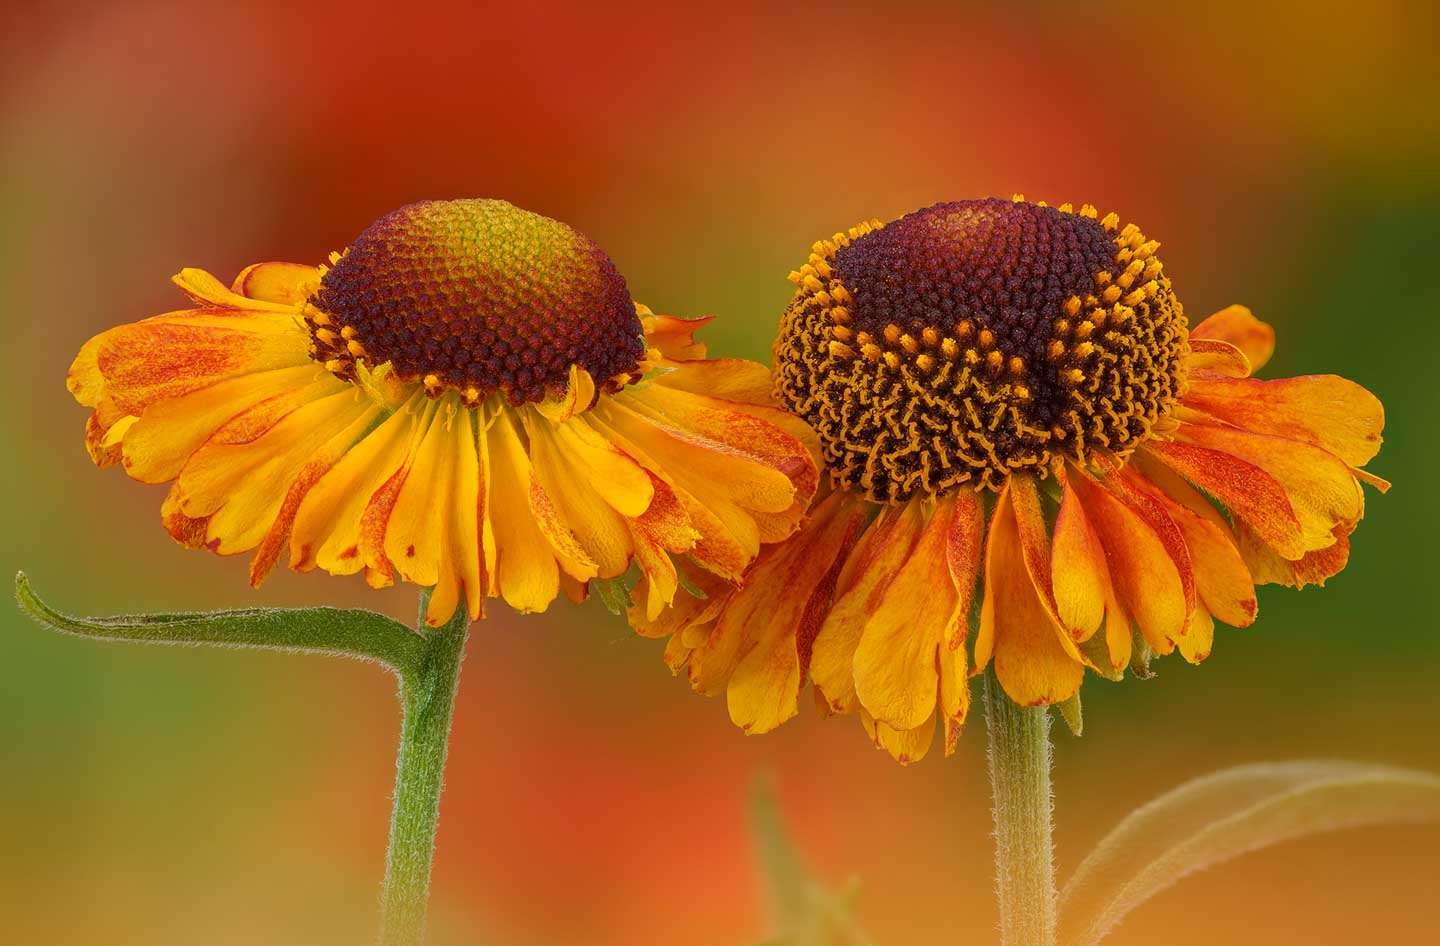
467, 400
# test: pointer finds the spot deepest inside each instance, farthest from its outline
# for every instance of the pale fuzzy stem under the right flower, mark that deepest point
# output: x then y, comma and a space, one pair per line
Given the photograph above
1025, 849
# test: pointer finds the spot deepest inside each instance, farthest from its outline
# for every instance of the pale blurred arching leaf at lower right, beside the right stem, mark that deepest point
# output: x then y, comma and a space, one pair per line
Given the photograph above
1223, 816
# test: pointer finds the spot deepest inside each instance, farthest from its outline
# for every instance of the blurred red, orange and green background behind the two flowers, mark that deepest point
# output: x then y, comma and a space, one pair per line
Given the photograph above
1285, 156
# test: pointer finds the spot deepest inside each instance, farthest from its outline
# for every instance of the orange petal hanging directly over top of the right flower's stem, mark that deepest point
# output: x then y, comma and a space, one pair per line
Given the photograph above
1030, 662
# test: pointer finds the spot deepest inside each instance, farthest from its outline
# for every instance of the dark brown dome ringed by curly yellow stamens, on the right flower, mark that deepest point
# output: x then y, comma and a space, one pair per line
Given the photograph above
976, 339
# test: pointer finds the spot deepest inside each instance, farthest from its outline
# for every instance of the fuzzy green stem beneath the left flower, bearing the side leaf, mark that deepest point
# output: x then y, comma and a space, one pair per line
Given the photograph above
428, 699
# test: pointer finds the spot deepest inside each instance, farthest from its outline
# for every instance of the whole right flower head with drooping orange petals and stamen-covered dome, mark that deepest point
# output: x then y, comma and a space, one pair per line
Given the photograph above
1022, 434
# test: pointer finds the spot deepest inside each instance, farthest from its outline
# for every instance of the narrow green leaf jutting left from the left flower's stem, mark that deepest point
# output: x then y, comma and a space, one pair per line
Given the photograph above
343, 633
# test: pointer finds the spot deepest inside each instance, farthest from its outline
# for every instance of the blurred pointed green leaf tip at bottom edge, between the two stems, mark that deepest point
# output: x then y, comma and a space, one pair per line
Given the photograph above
803, 911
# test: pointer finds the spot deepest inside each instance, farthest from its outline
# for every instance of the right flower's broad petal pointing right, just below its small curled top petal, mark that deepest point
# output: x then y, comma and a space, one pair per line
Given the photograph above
1323, 410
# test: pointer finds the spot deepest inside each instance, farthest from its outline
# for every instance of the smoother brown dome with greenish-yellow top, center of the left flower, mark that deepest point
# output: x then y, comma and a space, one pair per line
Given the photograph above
480, 297
